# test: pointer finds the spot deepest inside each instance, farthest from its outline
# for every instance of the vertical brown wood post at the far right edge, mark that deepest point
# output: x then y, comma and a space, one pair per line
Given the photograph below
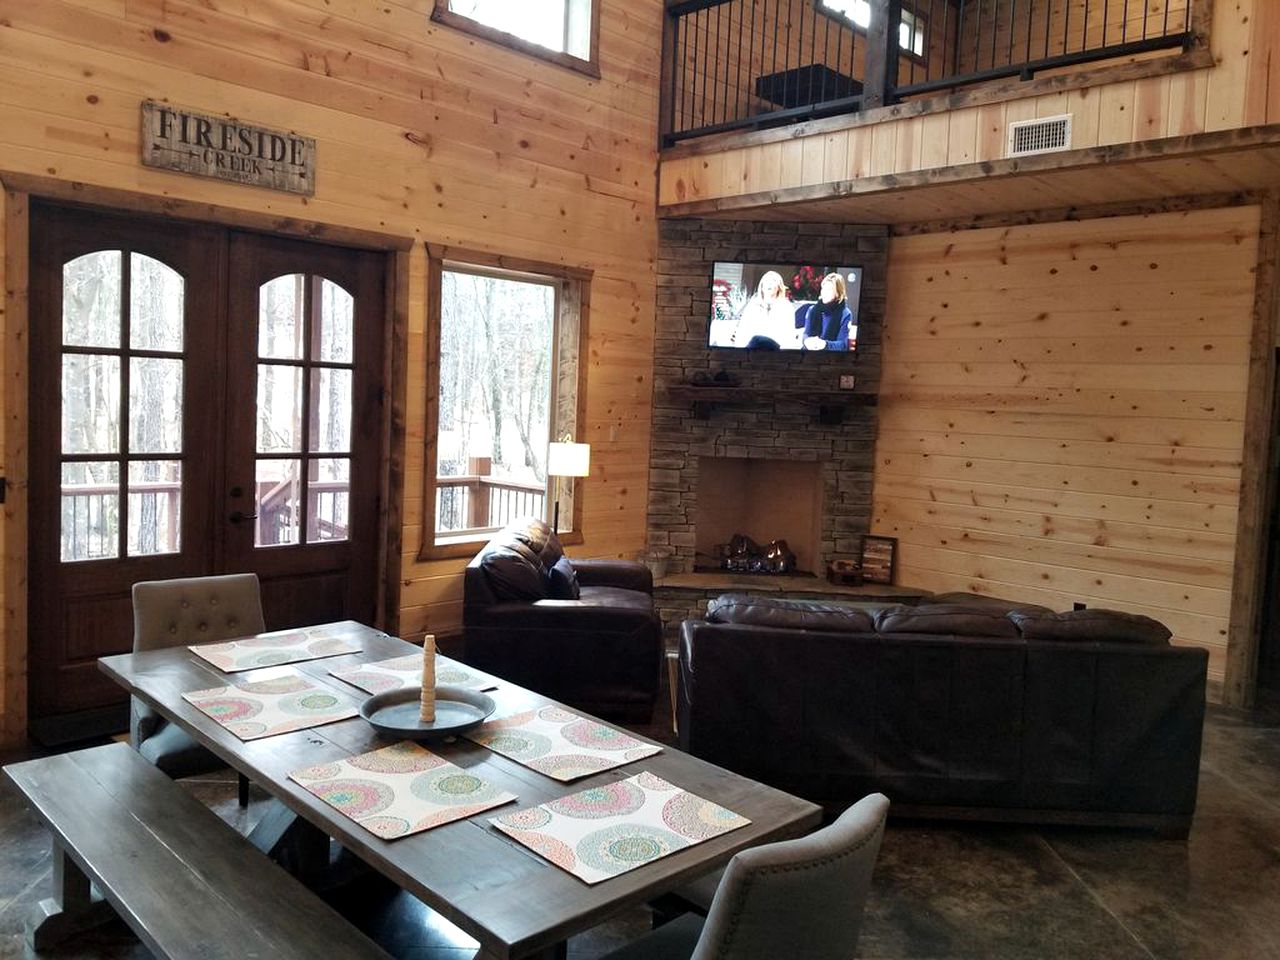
1258, 478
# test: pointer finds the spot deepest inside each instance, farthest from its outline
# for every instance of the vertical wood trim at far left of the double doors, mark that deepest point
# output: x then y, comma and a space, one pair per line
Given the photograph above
13, 637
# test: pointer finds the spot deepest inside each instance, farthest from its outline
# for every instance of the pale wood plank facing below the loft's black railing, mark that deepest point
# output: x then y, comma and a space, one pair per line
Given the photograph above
1242, 90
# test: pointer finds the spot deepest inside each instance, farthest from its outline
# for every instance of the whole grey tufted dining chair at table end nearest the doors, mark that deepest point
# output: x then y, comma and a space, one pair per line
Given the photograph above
176, 614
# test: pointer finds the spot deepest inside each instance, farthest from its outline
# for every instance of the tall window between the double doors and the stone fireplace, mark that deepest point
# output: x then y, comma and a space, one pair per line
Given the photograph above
506, 385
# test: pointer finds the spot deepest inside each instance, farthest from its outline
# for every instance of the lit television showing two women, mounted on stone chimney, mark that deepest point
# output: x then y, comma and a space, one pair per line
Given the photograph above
785, 307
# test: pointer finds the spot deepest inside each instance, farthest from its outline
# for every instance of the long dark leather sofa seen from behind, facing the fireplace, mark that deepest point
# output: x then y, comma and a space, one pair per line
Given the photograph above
959, 707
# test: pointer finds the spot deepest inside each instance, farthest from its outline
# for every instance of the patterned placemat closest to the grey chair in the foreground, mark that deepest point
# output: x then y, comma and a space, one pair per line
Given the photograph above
610, 830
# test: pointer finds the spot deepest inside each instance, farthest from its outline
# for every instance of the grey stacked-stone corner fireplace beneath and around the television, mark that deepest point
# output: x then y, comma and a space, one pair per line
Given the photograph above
781, 454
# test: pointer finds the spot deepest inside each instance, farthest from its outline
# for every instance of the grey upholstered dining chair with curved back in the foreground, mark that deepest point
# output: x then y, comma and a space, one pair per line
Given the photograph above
799, 898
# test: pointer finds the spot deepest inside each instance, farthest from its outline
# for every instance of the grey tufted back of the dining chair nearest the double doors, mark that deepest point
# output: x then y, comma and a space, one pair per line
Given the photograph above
195, 611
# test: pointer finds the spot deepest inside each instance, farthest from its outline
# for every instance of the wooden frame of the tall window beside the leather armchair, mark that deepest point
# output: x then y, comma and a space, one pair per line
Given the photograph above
573, 305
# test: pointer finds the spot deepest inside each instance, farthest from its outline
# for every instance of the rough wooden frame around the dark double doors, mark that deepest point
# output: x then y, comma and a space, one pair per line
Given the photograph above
16, 193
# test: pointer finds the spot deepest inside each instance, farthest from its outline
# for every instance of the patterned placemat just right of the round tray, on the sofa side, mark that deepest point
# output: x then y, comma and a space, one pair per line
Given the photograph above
560, 744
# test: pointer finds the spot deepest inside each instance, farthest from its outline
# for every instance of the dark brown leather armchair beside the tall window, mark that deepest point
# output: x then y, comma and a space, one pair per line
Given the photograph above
582, 632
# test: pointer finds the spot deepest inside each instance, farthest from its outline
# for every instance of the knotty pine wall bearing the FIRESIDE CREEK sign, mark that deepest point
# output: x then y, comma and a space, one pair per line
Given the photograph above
426, 135
